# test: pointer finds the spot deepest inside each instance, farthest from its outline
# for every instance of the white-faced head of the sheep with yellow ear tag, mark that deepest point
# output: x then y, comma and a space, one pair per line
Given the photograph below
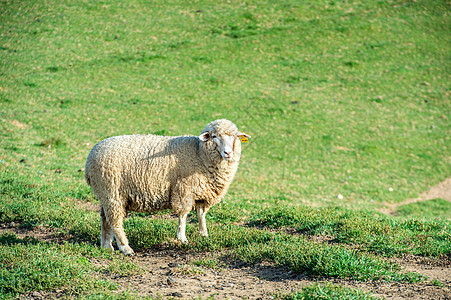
226, 138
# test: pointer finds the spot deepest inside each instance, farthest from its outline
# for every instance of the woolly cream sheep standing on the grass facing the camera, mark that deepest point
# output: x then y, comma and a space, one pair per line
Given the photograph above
147, 173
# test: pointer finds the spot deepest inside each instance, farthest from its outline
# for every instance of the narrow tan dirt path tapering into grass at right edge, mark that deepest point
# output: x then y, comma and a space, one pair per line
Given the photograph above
441, 190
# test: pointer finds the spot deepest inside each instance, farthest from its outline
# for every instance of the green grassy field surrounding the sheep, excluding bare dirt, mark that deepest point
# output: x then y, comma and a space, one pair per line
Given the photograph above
347, 102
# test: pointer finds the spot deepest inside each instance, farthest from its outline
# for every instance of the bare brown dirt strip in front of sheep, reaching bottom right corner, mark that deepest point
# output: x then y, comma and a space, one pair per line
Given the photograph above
261, 281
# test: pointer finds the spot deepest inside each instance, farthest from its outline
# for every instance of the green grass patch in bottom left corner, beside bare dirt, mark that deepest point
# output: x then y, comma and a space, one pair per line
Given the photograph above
31, 265
